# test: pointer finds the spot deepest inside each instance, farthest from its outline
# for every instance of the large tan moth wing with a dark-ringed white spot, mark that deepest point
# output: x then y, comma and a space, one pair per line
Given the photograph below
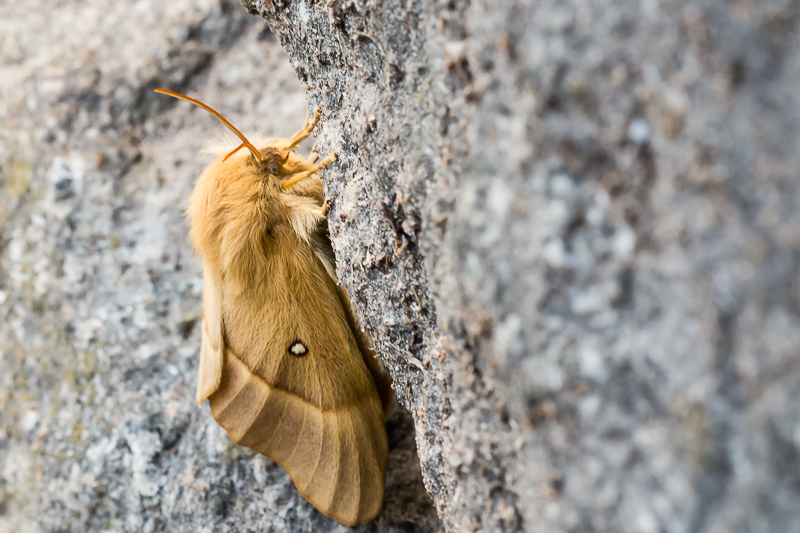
294, 385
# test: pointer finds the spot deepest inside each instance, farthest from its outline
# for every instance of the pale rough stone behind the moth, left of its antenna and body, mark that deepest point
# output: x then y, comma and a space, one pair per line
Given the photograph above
100, 295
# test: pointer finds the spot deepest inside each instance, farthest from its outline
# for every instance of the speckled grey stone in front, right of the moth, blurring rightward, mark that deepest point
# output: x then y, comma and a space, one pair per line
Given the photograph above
573, 229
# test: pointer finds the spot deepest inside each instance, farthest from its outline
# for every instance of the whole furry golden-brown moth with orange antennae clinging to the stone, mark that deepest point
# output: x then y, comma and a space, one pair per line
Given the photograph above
283, 361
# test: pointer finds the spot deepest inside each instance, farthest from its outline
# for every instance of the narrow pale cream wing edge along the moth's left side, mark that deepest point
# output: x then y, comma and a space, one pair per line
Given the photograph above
211, 345
